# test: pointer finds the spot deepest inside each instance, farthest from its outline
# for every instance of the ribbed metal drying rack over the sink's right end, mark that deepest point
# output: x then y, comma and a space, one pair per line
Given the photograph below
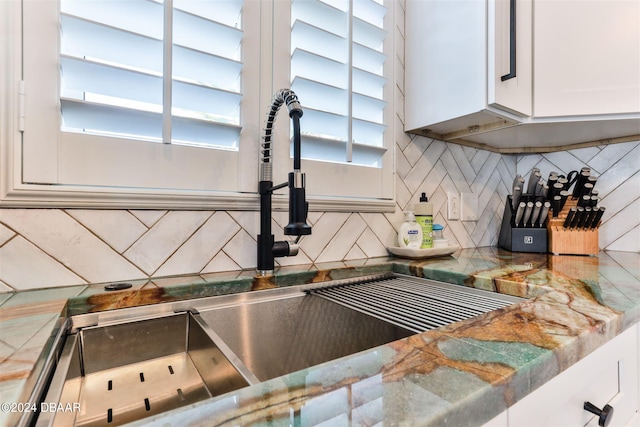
413, 303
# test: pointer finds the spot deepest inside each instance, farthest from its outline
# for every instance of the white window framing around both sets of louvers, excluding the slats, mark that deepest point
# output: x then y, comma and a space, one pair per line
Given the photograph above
16, 159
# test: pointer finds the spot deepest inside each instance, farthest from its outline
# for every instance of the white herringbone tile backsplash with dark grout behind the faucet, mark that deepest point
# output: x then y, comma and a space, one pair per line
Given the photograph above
61, 247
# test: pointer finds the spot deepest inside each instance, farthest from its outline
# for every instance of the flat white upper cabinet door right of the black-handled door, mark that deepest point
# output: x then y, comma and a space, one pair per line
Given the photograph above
586, 57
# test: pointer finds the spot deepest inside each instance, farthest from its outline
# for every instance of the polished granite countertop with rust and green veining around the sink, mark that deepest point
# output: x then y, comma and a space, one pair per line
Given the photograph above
462, 374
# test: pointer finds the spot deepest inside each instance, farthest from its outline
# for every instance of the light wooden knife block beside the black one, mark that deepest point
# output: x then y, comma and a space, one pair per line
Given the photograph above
564, 241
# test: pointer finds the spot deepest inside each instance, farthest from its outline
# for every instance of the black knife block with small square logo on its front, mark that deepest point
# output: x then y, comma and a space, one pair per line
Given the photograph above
520, 239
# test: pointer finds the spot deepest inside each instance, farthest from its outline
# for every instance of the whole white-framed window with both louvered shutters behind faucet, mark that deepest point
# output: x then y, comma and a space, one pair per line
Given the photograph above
160, 104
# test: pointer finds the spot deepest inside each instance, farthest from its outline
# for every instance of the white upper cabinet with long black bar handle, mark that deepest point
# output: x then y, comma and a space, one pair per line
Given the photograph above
523, 75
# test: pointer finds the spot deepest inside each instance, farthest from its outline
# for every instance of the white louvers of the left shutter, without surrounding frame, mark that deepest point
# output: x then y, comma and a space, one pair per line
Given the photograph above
125, 70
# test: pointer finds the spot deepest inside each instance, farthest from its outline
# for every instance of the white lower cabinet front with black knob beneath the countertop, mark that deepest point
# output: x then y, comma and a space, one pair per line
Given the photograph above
609, 375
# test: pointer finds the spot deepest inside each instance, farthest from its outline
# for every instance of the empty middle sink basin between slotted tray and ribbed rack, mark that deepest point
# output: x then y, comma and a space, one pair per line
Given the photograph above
273, 338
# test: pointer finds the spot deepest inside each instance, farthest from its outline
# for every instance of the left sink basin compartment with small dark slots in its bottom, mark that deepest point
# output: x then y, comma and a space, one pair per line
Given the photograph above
118, 373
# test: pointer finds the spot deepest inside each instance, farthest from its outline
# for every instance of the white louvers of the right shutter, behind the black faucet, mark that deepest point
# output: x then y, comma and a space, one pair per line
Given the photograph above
337, 64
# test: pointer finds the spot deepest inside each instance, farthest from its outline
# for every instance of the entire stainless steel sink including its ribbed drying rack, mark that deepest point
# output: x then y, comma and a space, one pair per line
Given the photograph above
128, 364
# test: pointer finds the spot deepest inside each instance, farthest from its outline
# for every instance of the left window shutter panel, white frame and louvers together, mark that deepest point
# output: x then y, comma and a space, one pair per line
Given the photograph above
149, 97
